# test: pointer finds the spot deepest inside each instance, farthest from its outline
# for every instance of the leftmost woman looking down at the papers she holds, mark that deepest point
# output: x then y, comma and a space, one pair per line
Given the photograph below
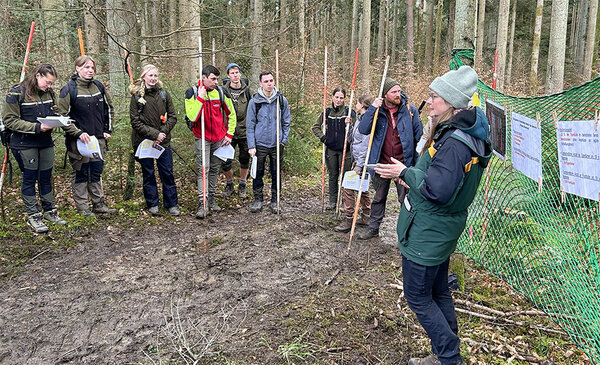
31, 142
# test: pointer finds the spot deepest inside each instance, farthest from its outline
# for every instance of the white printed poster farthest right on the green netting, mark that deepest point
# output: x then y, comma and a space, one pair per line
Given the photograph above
579, 157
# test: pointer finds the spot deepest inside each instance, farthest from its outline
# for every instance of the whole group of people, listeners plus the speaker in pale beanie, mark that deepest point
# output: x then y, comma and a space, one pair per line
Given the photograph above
435, 187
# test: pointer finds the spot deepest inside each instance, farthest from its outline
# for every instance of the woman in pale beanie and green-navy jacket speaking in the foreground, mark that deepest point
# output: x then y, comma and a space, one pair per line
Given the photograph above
442, 185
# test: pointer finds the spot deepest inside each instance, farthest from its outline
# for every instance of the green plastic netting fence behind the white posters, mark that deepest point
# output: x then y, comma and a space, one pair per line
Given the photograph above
544, 244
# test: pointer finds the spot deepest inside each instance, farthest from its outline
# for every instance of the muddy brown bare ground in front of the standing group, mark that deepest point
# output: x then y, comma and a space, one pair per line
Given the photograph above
225, 287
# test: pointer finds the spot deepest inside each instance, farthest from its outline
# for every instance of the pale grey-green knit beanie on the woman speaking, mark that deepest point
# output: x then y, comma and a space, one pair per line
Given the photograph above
456, 87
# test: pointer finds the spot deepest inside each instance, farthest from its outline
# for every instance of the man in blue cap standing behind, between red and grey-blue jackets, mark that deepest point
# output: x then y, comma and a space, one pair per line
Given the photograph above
240, 94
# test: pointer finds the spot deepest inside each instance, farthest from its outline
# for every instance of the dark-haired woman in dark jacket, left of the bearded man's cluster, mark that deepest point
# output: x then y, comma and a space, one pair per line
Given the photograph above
334, 138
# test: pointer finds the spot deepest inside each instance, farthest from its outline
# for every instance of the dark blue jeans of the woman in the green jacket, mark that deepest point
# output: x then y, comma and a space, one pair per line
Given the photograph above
426, 290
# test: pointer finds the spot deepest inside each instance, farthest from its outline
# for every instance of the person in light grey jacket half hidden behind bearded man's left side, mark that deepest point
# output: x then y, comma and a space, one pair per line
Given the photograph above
358, 145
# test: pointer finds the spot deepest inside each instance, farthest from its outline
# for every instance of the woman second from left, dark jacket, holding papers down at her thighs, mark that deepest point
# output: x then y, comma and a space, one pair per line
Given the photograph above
93, 113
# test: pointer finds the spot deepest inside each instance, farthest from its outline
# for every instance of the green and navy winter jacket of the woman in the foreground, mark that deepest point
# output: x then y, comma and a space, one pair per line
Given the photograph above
443, 184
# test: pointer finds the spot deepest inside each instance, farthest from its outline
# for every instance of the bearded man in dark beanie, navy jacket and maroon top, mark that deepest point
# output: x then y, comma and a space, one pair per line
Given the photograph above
398, 129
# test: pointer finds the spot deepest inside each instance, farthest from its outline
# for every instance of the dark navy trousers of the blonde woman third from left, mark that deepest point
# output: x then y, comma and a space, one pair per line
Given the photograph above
165, 171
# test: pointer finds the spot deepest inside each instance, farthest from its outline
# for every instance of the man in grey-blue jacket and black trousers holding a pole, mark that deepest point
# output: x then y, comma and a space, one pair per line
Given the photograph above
261, 120
